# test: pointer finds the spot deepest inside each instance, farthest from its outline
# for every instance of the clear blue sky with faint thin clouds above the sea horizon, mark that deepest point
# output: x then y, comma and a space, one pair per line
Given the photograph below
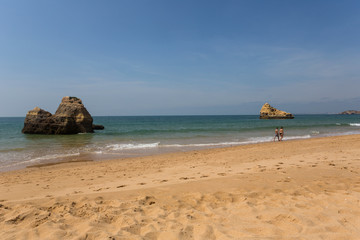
142, 57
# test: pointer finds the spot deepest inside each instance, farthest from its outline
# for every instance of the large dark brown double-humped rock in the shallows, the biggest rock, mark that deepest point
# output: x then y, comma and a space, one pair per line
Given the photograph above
71, 117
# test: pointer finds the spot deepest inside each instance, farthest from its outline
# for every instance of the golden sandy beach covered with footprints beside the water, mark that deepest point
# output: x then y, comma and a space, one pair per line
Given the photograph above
301, 189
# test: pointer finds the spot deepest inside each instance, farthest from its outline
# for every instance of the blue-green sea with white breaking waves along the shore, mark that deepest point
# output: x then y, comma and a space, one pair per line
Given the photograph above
127, 136
